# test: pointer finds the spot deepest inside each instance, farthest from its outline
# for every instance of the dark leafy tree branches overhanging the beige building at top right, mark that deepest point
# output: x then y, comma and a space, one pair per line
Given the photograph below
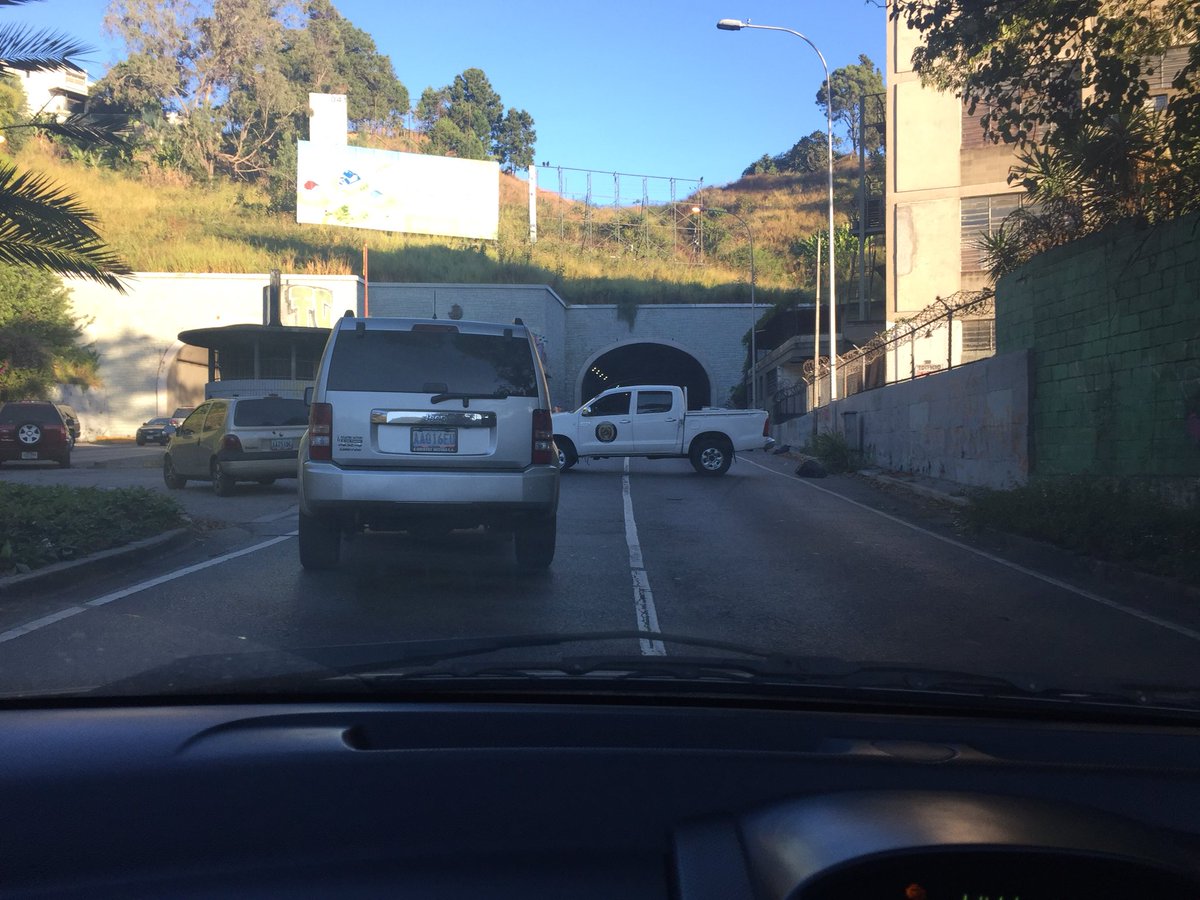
1066, 75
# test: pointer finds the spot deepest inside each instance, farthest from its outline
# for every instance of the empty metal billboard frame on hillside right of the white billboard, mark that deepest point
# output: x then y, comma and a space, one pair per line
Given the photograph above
623, 213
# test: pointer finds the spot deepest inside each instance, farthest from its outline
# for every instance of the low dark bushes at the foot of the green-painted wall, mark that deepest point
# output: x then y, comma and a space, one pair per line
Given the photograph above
1101, 519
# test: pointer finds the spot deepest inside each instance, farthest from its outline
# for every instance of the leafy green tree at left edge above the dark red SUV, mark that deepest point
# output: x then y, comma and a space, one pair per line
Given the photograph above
40, 339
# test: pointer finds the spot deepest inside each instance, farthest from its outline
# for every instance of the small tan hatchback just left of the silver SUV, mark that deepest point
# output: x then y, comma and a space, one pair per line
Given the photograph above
237, 440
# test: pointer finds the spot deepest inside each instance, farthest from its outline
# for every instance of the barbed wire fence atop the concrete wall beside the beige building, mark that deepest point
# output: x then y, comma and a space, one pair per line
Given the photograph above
915, 347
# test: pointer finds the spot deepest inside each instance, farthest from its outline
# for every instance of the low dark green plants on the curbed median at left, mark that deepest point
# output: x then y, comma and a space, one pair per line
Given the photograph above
45, 525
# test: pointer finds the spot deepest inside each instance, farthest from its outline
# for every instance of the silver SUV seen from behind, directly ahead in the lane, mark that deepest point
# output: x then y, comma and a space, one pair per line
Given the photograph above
425, 427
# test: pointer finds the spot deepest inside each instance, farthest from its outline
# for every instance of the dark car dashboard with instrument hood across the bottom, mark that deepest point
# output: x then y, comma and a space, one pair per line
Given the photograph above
592, 799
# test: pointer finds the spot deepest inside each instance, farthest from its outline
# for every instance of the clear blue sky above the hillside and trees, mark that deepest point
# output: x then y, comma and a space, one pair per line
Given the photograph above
646, 87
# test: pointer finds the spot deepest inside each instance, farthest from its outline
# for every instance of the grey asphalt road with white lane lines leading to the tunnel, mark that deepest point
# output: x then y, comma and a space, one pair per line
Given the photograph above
831, 568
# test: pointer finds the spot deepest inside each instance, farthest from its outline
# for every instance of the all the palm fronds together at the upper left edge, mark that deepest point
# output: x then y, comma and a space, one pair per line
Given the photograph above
41, 225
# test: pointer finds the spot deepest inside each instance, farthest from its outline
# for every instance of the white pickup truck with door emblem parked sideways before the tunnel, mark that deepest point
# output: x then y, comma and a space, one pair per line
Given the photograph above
653, 421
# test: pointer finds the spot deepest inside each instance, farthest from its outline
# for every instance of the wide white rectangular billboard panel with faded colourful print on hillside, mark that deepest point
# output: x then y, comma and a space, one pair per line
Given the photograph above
391, 191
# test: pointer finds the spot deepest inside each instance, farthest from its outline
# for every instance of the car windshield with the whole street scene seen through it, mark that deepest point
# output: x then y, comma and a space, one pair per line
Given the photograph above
885, 361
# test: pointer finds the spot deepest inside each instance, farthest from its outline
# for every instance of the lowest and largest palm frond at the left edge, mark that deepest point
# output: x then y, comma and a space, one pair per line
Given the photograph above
44, 226
